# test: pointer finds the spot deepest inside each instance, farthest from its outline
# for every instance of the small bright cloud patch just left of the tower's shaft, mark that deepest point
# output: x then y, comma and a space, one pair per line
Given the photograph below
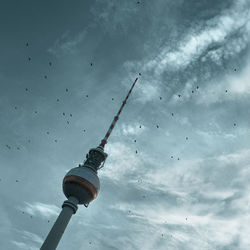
41, 209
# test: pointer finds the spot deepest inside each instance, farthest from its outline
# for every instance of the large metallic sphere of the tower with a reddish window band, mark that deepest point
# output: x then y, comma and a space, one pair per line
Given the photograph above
82, 183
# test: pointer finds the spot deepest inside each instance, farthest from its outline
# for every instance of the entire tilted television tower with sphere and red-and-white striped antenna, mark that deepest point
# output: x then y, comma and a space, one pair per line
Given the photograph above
81, 185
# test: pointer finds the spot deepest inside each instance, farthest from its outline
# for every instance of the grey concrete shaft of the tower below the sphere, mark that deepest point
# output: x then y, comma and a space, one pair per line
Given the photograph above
69, 207
